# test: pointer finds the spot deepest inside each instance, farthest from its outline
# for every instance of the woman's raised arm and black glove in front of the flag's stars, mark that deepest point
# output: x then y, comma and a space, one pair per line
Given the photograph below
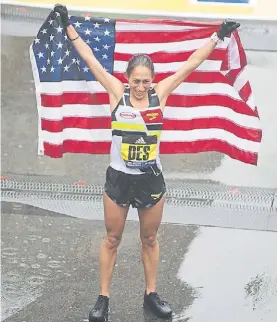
112, 85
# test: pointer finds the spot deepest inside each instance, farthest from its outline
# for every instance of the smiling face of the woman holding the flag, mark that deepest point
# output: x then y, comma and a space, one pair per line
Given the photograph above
140, 81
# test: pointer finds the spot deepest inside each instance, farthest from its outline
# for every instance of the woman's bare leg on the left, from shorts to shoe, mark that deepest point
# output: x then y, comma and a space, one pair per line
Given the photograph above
115, 218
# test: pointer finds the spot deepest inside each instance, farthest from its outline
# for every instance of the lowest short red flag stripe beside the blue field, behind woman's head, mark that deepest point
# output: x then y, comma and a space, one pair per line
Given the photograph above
194, 77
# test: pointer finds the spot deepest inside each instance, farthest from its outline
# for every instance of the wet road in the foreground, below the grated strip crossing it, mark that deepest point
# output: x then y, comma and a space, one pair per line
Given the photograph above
50, 270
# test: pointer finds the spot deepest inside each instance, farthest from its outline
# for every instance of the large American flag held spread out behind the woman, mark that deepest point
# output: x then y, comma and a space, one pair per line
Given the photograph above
212, 110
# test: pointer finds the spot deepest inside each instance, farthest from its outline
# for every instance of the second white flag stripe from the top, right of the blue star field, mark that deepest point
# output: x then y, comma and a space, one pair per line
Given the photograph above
172, 47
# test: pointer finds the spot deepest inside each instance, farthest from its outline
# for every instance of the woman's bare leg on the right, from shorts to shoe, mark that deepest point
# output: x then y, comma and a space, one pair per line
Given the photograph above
150, 220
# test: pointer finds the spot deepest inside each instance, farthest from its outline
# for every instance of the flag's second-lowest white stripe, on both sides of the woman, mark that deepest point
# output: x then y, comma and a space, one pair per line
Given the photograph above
172, 113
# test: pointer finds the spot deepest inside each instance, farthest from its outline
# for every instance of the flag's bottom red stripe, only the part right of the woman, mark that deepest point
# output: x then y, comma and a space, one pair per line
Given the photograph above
208, 145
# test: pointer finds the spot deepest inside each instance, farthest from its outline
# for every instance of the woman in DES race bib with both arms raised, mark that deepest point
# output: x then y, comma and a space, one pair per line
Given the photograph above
134, 176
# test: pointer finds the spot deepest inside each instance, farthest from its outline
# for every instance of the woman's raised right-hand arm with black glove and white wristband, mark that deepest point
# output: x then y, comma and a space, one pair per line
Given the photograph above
165, 87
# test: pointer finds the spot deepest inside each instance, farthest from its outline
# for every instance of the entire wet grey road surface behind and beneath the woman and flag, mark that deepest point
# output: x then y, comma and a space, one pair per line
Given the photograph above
218, 257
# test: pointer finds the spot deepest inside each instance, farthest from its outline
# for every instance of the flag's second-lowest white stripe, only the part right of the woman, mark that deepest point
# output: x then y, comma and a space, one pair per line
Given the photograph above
192, 113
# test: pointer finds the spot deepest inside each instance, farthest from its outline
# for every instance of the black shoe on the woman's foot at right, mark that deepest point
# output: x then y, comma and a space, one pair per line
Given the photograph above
160, 308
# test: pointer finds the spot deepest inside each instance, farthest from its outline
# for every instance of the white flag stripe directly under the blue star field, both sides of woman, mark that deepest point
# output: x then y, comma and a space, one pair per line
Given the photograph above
189, 89
